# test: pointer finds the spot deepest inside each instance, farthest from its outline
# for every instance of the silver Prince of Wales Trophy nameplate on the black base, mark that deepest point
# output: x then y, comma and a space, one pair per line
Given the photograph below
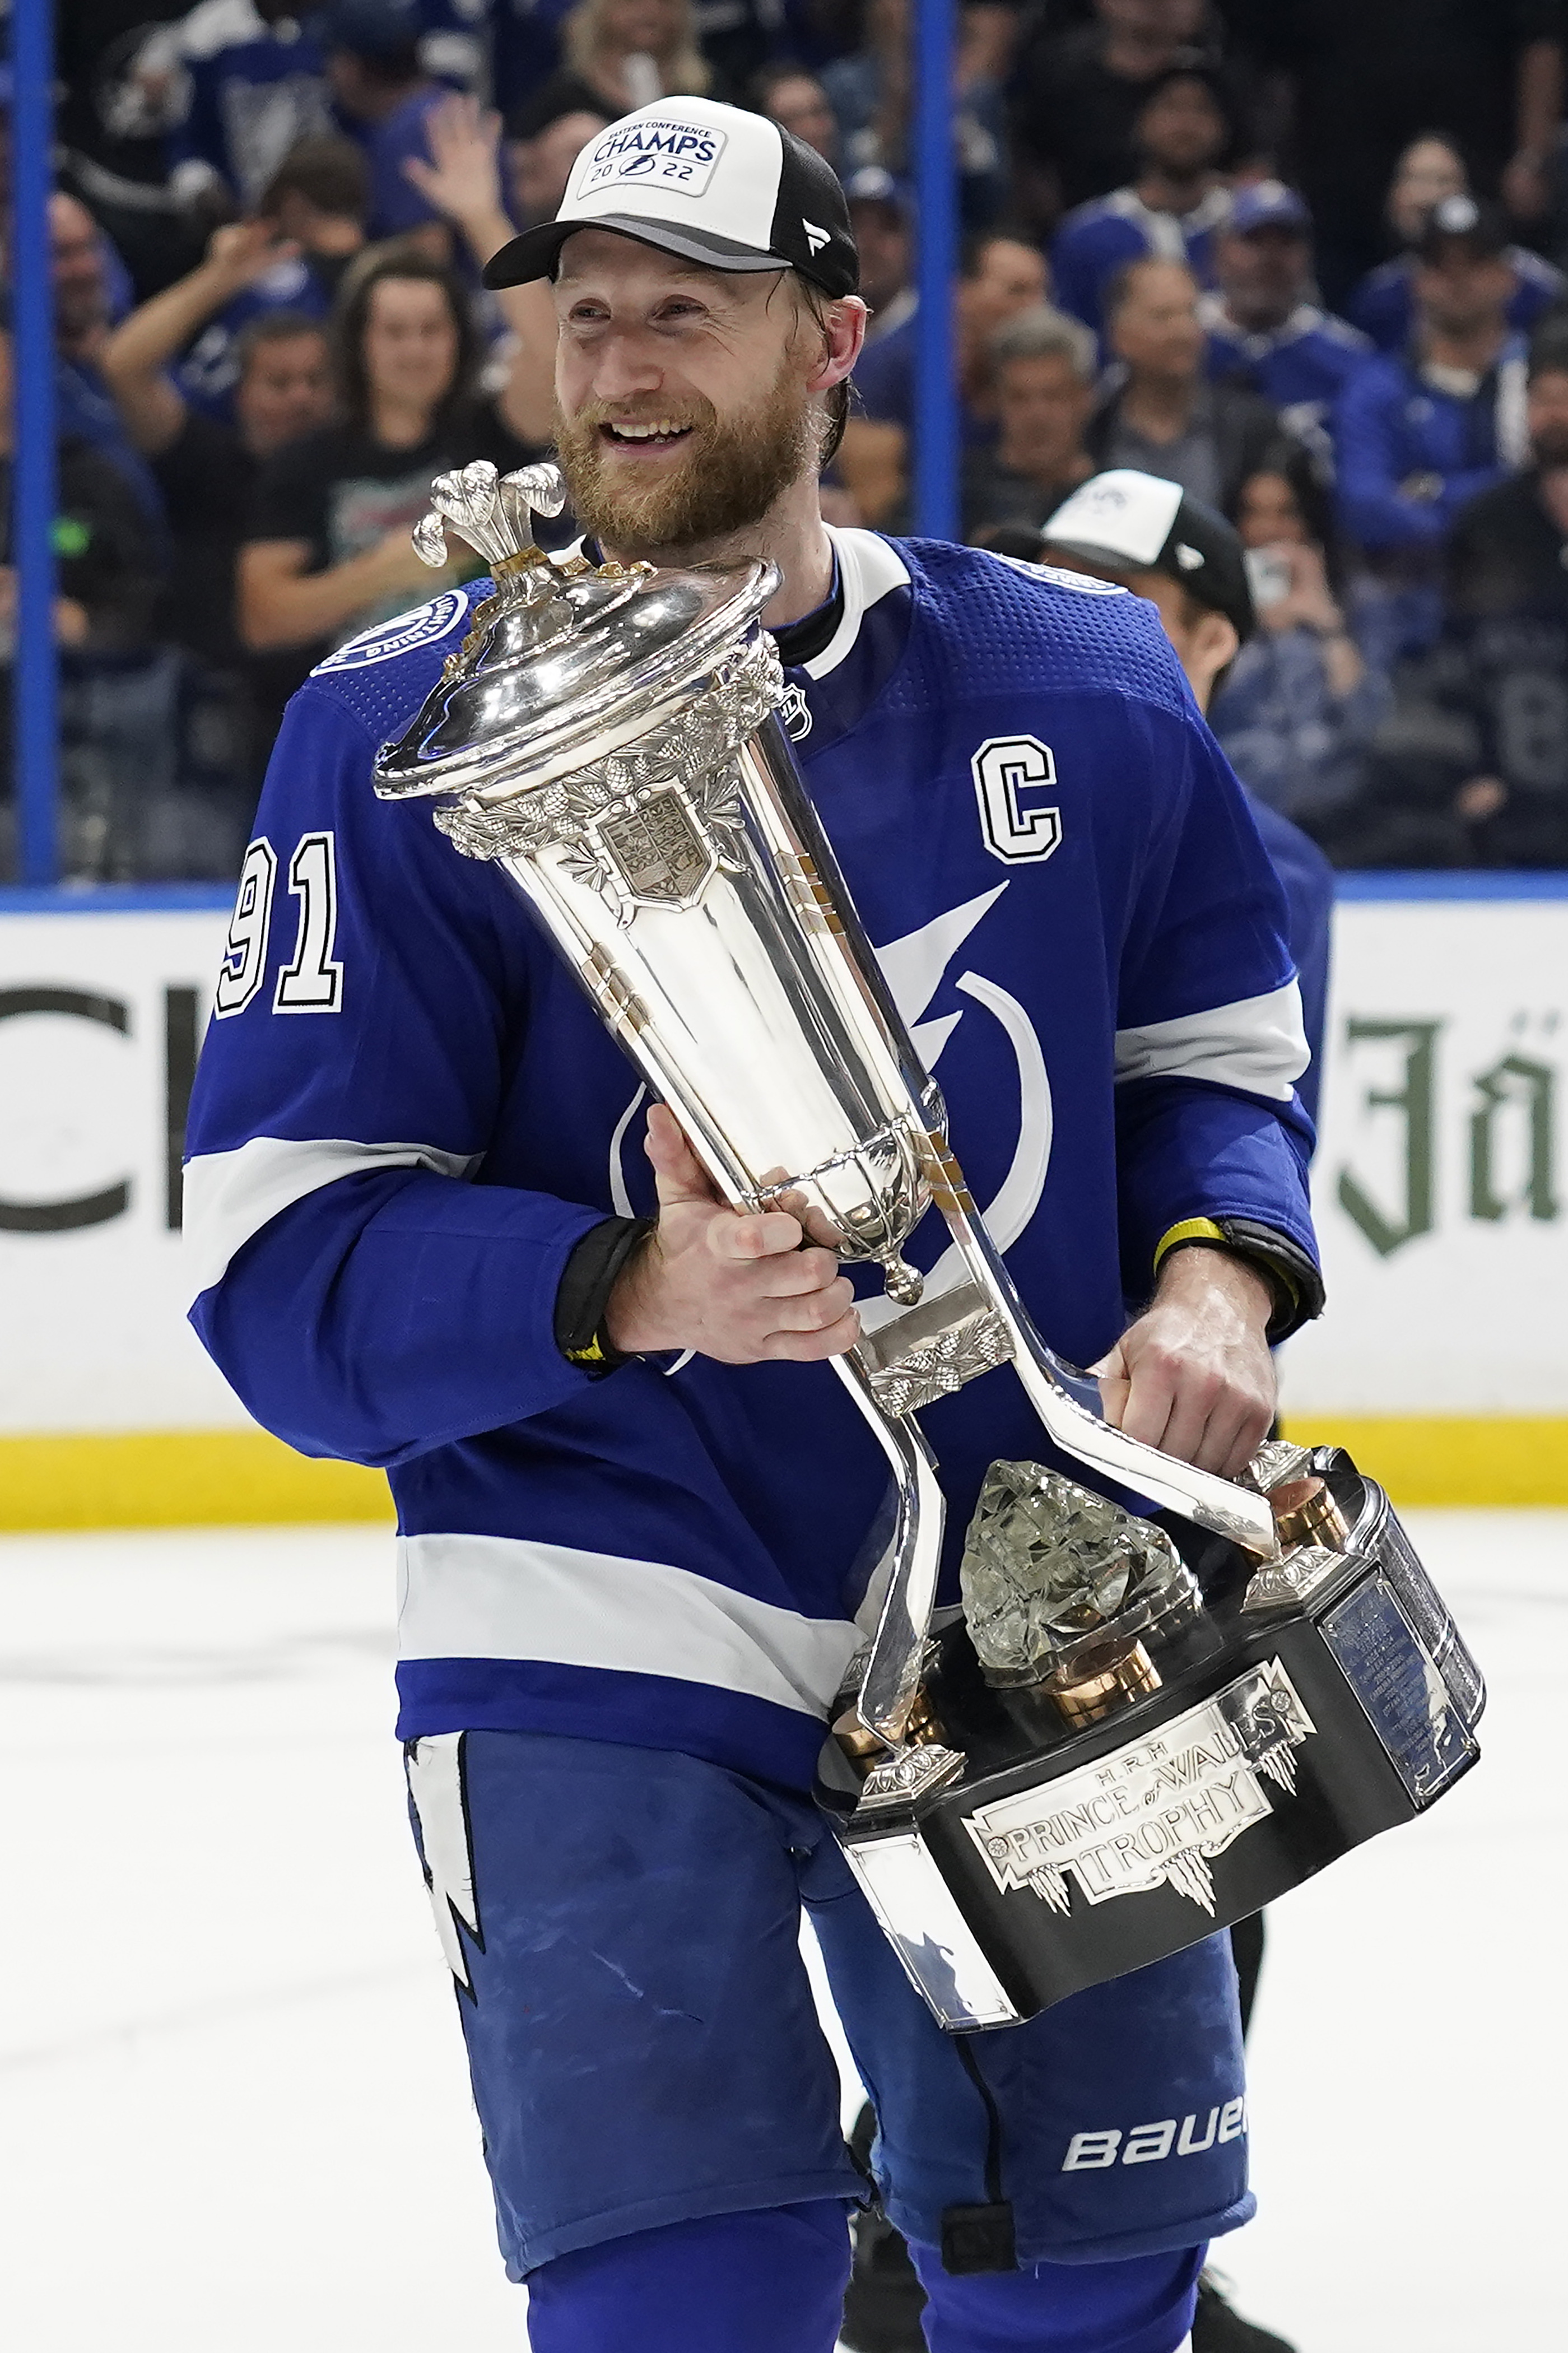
1155, 1813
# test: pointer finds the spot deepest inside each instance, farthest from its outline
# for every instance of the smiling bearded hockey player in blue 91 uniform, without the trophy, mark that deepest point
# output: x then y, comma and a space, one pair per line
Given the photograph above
634, 1505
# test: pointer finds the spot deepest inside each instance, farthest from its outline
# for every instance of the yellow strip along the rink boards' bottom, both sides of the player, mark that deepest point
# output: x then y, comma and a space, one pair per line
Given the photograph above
225, 1479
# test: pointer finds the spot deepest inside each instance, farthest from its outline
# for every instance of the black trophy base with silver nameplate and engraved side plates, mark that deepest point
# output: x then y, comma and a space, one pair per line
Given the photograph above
1028, 1855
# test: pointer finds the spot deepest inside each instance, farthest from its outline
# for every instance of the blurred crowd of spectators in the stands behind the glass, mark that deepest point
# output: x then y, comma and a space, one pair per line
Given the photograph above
1296, 255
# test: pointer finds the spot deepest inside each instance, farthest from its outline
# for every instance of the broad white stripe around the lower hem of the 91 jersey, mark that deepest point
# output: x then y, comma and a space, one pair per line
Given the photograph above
465, 1597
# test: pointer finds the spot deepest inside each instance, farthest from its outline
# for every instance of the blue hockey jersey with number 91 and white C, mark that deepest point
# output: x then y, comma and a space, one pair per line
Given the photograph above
406, 1119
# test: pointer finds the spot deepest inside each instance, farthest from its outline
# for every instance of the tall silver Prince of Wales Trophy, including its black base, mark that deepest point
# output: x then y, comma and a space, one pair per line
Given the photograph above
1138, 1726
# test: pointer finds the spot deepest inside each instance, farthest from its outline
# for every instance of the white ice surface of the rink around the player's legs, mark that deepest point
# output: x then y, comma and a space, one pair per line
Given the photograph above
232, 2093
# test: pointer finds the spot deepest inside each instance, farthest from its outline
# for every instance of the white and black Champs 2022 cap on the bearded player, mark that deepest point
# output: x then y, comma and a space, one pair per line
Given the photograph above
707, 182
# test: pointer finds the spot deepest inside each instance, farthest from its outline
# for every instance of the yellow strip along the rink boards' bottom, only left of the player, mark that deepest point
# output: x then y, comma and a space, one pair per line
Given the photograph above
178, 1479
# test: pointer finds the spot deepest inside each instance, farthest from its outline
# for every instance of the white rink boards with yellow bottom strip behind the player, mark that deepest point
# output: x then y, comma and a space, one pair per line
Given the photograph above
1440, 1194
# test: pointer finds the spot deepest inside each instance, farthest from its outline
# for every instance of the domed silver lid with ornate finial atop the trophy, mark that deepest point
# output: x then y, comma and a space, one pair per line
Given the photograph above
566, 660
